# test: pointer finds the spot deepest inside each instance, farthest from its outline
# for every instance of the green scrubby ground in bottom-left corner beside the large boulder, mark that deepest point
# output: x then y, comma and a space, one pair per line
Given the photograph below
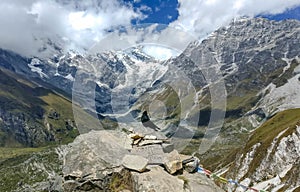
29, 169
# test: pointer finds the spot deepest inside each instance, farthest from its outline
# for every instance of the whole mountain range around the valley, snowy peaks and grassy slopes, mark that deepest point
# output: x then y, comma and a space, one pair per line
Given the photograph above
245, 76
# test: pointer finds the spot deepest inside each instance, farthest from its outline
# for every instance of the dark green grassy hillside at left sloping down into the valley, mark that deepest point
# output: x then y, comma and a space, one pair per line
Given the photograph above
32, 115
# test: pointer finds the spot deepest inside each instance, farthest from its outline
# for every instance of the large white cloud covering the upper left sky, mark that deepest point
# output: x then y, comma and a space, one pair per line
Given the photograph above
26, 25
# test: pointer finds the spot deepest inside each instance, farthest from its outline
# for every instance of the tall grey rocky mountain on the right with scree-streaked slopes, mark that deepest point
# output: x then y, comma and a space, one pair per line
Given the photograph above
257, 60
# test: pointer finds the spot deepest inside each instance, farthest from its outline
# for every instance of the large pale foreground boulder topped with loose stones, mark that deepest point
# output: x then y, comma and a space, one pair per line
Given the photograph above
115, 161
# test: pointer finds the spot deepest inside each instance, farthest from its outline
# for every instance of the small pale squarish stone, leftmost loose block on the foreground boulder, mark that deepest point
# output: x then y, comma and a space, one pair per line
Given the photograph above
135, 162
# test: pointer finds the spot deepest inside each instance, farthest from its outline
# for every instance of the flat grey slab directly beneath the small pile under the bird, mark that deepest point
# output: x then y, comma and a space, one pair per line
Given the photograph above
153, 153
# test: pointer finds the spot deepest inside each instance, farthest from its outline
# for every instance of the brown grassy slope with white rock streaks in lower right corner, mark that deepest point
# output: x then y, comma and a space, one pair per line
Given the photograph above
270, 159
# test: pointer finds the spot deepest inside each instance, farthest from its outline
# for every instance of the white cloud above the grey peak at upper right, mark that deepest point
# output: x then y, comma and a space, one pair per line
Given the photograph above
204, 16
